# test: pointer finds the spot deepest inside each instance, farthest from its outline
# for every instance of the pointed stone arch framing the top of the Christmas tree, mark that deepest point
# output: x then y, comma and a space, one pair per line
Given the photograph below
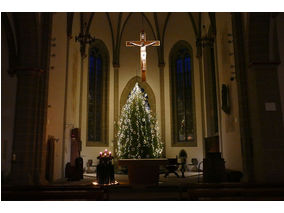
129, 86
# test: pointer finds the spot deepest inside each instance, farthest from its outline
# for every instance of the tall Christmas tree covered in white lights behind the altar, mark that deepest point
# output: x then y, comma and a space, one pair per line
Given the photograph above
138, 135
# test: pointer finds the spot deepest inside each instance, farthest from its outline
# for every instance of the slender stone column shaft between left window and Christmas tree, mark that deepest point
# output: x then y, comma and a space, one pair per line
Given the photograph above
115, 103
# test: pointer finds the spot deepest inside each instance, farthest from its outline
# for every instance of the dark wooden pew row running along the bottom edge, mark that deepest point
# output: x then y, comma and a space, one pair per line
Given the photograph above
200, 191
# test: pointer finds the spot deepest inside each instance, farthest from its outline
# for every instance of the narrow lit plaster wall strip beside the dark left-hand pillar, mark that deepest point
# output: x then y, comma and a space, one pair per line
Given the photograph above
56, 89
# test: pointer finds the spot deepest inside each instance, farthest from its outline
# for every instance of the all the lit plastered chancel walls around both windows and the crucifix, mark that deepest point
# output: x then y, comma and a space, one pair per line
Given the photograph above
179, 28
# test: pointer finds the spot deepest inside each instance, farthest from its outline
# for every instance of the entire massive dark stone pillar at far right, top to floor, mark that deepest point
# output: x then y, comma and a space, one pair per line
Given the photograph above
259, 99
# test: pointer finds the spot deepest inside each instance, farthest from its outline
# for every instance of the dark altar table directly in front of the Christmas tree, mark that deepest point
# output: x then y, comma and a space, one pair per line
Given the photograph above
143, 171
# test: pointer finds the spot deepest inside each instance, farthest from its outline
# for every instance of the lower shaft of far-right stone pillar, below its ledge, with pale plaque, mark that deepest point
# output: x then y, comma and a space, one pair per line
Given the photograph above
266, 122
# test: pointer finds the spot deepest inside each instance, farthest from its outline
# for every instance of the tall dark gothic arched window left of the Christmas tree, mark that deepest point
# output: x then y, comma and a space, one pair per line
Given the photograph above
98, 80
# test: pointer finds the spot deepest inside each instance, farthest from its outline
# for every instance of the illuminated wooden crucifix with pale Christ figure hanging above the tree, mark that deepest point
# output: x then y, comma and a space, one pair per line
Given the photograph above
142, 44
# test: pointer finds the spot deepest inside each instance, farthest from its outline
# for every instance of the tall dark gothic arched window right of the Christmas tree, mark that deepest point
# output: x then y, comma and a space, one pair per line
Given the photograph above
182, 95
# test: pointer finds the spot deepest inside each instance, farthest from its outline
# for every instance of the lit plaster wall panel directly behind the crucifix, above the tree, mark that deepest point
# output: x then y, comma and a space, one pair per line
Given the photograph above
130, 60
